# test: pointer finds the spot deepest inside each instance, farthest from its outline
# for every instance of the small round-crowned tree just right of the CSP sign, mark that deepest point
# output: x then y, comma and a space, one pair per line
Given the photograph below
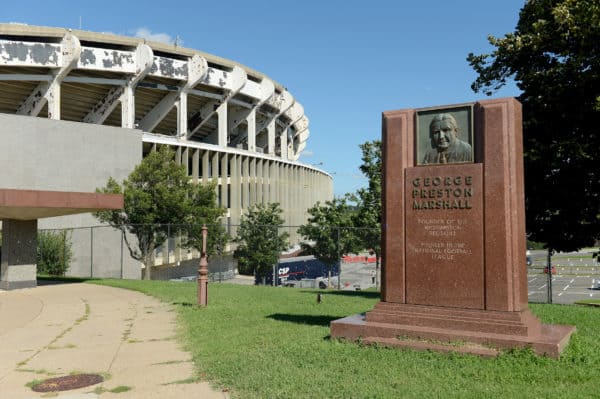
329, 232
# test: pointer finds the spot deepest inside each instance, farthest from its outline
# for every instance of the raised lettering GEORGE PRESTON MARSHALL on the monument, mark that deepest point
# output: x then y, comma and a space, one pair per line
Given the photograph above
442, 192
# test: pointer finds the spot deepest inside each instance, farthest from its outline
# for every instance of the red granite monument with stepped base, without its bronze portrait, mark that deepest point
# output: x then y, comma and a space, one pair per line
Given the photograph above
454, 276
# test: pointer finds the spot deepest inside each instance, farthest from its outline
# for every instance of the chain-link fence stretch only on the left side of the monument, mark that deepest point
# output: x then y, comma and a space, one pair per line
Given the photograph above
103, 252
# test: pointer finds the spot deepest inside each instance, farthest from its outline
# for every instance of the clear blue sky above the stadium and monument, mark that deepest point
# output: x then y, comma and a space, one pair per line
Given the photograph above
345, 61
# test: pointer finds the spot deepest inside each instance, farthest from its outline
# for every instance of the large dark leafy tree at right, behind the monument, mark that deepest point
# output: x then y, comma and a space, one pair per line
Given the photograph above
554, 57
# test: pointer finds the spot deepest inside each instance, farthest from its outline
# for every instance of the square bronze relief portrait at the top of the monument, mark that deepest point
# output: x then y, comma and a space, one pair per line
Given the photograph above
444, 135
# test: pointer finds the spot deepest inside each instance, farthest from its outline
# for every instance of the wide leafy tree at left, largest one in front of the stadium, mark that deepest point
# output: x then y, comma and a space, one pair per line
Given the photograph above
157, 193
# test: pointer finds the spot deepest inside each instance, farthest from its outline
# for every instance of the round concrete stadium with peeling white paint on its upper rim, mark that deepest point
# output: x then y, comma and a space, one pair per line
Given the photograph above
77, 107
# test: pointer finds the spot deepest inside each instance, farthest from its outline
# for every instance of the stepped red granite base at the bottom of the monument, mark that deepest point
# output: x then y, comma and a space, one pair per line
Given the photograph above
442, 329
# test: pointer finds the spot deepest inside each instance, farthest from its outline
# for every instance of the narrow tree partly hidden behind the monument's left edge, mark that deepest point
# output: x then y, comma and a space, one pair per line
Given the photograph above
367, 218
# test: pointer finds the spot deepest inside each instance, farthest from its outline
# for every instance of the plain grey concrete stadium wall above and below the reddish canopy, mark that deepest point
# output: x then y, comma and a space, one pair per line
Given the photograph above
44, 154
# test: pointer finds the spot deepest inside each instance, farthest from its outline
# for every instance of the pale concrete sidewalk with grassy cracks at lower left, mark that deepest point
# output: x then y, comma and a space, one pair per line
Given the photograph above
128, 337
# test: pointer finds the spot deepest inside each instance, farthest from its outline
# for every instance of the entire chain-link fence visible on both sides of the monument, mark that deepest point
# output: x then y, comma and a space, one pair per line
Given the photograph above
103, 252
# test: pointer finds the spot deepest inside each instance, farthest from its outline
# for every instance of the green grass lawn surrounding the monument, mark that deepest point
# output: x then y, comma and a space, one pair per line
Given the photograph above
263, 342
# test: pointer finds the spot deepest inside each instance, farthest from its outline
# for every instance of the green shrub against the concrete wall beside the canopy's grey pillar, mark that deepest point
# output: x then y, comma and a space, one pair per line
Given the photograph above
54, 252
